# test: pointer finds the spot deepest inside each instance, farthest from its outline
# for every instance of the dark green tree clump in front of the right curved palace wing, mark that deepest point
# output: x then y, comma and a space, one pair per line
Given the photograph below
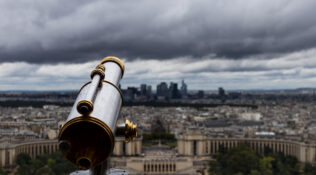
243, 160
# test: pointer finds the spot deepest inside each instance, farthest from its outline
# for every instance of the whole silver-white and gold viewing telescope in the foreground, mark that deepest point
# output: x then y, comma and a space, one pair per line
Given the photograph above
88, 136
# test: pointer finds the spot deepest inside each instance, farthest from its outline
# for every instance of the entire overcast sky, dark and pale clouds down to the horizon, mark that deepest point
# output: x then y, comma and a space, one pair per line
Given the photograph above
236, 44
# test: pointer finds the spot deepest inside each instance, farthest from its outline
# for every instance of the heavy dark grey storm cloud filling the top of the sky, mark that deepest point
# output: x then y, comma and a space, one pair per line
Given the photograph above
74, 31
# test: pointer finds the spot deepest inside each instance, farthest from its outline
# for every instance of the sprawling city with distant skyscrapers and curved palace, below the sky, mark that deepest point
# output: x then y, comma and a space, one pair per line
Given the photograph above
180, 130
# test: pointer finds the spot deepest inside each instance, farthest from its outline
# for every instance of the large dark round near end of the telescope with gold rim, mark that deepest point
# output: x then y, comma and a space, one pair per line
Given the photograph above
93, 149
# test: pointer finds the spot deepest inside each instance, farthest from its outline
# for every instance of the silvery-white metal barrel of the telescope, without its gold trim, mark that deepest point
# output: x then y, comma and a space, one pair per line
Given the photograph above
107, 100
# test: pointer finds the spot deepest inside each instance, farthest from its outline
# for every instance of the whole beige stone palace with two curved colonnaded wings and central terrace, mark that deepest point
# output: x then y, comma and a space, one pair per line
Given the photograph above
191, 156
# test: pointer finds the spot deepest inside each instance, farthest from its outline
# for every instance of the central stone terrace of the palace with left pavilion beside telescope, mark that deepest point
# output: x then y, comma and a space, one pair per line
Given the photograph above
155, 160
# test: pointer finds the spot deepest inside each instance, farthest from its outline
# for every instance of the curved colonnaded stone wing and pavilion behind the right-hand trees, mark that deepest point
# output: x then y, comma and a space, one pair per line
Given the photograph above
199, 144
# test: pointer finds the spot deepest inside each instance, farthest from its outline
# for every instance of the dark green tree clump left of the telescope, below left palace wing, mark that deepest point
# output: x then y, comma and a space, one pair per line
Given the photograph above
53, 164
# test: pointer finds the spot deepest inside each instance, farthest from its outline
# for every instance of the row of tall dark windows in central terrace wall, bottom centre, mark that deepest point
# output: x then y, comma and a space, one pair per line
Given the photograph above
159, 167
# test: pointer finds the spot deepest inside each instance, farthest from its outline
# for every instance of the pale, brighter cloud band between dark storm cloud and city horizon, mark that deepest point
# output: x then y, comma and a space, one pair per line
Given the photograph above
288, 71
